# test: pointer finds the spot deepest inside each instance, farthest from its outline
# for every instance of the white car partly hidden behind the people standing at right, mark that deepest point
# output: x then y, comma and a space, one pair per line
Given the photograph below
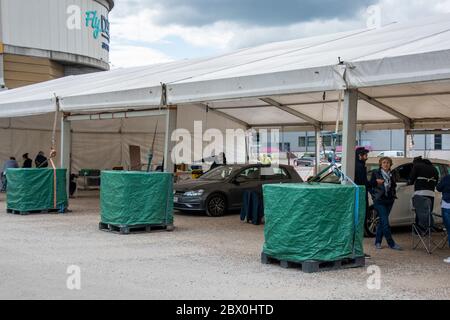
401, 214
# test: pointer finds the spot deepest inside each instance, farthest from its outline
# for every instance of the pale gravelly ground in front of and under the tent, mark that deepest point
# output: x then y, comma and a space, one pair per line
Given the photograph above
203, 259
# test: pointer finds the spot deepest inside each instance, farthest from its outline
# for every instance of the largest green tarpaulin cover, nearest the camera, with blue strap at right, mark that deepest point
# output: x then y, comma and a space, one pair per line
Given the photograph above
313, 222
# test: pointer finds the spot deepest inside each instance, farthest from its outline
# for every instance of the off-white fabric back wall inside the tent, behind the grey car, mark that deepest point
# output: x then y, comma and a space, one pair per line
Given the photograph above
102, 144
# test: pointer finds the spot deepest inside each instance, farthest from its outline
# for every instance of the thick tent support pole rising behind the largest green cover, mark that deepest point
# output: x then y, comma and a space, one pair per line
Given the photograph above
349, 132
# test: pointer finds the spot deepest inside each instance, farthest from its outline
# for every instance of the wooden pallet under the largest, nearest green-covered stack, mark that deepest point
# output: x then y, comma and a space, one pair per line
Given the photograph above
316, 266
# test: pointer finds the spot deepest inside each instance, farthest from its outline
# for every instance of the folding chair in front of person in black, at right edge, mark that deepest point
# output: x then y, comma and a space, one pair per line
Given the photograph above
426, 239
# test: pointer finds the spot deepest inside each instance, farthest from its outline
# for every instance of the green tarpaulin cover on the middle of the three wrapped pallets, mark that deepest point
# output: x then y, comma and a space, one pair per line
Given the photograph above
136, 198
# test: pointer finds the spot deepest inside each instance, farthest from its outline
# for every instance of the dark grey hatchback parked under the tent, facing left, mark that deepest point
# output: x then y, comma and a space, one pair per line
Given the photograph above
222, 189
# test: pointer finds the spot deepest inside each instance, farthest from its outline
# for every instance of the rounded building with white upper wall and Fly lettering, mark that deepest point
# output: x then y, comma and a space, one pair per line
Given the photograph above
41, 40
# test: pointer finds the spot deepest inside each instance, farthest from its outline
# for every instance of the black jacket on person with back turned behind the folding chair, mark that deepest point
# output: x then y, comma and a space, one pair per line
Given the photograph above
424, 176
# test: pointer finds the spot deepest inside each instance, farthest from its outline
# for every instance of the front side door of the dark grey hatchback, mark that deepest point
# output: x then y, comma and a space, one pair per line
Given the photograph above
248, 179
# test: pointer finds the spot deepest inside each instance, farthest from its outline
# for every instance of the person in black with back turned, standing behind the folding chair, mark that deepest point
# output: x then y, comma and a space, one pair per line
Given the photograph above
424, 177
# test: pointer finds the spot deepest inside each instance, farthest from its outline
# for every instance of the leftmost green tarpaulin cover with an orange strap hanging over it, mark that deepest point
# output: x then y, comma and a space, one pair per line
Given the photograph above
33, 189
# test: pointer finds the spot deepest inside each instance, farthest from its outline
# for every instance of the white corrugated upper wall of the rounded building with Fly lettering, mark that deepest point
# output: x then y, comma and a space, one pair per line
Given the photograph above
42, 24
